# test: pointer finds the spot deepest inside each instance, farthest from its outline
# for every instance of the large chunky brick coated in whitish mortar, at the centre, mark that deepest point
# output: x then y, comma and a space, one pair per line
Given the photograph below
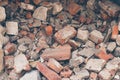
63, 35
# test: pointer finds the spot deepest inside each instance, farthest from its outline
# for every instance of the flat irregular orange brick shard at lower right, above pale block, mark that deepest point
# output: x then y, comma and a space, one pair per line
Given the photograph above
103, 55
